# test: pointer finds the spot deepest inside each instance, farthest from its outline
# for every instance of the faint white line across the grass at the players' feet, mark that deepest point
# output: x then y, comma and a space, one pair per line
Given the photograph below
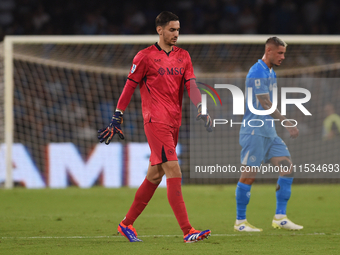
102, 237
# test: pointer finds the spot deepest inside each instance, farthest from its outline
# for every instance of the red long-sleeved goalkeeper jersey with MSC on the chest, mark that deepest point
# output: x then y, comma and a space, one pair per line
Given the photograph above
161, 77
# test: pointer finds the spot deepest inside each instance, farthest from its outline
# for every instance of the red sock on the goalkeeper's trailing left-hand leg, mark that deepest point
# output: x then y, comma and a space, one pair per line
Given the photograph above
142, 198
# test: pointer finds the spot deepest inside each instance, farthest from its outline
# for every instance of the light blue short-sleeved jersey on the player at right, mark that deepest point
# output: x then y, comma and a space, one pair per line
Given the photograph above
262, 80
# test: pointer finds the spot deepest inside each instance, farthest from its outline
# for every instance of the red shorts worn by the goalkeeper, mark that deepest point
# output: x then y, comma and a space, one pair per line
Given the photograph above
162, 140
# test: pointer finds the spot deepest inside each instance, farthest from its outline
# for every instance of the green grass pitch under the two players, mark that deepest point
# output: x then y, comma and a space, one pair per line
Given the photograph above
84, 221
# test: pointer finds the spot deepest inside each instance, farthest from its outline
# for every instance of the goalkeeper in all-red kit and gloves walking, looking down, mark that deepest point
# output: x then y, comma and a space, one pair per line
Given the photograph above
161, 70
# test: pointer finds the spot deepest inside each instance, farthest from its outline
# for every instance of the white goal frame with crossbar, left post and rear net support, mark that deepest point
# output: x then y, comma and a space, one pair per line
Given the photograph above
10, 55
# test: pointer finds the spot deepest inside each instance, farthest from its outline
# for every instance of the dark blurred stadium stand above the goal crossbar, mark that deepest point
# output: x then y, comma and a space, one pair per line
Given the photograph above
69, 17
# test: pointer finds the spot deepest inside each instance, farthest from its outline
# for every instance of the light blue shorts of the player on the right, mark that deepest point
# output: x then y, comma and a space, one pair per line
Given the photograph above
256, 149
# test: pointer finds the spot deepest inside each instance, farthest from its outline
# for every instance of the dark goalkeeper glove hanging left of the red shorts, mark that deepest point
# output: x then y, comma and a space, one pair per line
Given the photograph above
113, 128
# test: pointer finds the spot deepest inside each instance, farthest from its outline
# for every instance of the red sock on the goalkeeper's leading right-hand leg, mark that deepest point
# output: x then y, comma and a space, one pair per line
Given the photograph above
177, 204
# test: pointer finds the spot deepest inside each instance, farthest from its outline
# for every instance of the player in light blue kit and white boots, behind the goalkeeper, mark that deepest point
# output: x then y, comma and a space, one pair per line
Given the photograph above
262, 144
